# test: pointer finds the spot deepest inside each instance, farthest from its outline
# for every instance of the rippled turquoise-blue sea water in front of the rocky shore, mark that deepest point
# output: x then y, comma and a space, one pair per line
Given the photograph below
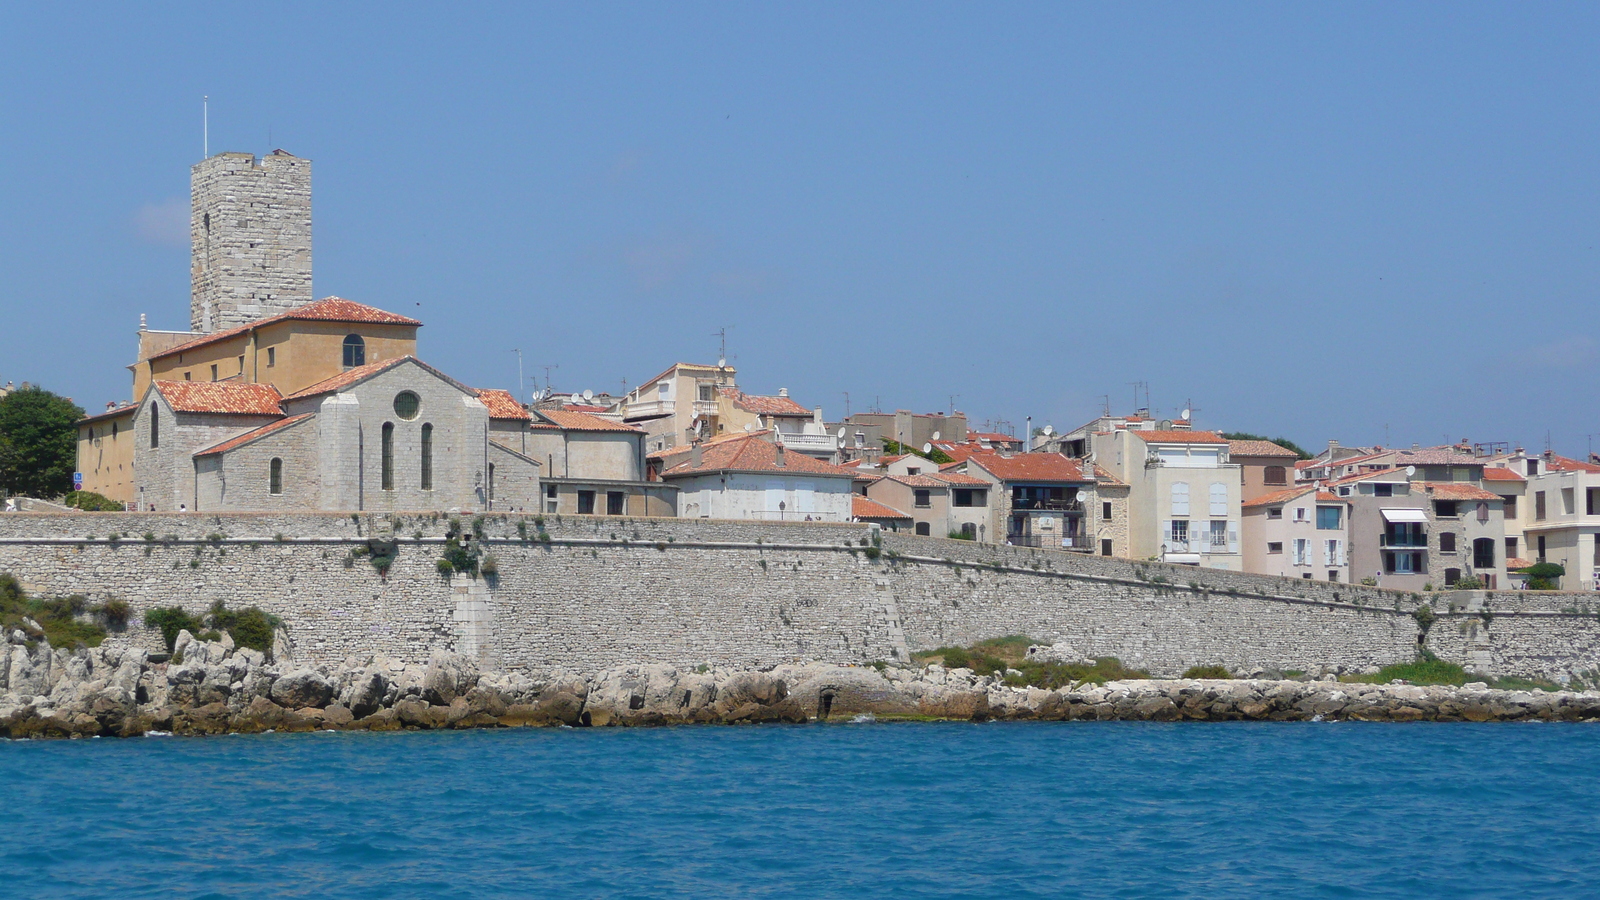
905, 811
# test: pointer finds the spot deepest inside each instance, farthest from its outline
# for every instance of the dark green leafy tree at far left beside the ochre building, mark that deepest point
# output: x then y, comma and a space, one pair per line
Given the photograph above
39, 443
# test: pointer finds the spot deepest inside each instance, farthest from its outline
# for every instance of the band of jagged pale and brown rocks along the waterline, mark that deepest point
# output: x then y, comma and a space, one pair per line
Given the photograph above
215, 688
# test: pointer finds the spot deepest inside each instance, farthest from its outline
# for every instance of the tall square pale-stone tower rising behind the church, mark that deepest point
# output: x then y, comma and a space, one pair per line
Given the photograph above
250, 236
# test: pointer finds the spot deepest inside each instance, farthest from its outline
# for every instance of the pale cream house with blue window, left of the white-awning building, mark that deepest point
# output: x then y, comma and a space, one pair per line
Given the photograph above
1298, 532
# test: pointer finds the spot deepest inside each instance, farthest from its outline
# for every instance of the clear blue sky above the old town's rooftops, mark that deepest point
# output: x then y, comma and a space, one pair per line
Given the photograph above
1321, 222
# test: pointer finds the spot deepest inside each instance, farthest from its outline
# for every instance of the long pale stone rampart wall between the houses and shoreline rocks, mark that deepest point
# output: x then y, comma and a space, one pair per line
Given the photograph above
590, 593
